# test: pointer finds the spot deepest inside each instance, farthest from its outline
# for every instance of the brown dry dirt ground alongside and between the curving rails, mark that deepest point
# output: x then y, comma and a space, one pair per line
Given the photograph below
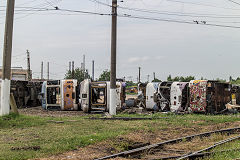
105, 148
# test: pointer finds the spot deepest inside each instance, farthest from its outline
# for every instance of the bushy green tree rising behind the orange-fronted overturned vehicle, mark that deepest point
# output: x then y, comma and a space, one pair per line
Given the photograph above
79, 74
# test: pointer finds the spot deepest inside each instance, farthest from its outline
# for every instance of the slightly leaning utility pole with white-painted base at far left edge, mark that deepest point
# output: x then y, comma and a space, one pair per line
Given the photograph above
7, 58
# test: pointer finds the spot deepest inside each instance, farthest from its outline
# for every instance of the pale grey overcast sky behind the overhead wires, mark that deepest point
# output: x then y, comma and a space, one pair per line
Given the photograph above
156, 46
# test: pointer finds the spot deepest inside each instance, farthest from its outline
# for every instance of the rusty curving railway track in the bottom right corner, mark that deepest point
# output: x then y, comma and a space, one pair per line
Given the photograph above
149, 149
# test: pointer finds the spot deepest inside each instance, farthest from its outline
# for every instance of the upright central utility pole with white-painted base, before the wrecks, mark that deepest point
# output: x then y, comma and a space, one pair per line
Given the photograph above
113, 92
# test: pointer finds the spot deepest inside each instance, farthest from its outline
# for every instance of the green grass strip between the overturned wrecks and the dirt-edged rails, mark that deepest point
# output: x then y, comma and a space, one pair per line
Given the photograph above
53, 138
